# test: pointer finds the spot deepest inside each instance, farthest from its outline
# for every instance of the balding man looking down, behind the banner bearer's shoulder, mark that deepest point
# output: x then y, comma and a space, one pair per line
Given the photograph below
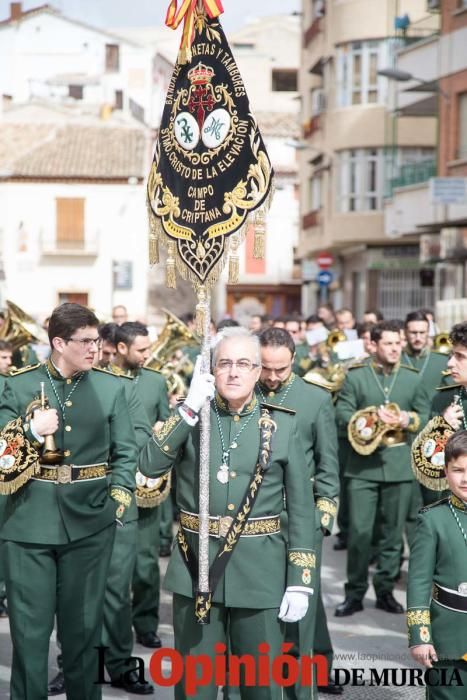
278, 385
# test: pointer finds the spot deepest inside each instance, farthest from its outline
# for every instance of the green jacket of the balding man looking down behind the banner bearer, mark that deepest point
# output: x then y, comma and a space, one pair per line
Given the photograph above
317, 432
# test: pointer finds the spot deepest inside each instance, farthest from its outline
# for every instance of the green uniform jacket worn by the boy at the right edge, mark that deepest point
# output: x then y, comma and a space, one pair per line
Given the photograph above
438, 555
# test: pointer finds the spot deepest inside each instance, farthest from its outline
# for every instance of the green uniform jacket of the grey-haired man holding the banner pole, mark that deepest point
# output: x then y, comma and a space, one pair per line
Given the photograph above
260, 567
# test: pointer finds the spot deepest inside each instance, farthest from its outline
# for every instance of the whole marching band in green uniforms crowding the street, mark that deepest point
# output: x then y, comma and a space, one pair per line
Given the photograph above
311, 423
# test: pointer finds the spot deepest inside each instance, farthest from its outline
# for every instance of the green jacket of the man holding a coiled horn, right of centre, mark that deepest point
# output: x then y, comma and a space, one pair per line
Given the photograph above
360, 390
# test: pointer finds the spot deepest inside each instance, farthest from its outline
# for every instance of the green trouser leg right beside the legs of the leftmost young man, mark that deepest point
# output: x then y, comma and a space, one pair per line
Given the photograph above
117, 631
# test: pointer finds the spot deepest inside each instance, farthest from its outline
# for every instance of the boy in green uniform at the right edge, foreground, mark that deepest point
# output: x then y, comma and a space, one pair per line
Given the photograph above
437, 584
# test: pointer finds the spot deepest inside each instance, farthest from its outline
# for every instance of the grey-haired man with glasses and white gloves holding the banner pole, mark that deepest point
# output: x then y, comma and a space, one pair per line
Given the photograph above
263, 578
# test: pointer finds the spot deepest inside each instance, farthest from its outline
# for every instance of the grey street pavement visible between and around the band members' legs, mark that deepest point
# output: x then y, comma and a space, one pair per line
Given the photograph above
370, 639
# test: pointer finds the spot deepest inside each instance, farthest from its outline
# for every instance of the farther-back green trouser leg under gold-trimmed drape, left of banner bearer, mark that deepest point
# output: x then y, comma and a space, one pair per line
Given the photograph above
146, 575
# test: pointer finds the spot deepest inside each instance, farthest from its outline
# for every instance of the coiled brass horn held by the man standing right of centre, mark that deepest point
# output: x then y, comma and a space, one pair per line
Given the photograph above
366, 432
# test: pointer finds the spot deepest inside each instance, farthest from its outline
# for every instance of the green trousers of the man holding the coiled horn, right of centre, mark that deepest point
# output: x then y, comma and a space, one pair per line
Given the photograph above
371, 501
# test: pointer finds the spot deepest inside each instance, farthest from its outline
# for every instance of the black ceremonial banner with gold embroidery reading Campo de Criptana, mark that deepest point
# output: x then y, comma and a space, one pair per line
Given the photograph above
210, 168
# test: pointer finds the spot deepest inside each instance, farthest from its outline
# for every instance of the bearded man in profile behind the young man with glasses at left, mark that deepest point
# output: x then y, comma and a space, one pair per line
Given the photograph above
133, 350
